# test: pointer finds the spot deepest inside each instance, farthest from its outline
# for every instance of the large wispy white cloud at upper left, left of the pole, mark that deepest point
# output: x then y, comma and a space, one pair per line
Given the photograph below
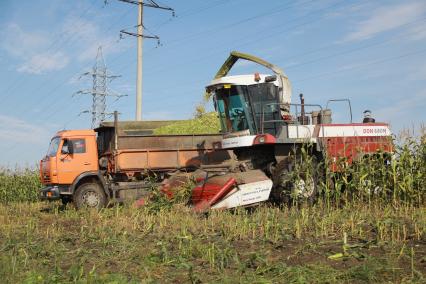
41, 52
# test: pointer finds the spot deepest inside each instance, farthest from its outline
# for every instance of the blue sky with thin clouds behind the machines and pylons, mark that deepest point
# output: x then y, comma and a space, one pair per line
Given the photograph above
371, 52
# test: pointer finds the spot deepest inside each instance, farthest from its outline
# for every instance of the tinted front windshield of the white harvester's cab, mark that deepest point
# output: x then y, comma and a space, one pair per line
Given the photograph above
233, 108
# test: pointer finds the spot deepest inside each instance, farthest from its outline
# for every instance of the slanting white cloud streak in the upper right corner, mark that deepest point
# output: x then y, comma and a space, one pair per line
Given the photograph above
386, 18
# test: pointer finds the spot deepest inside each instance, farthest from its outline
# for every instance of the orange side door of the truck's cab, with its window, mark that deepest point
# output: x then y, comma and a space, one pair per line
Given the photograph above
71, 165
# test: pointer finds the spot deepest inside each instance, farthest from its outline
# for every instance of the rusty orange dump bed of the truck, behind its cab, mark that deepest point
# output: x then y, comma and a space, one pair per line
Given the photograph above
130, 152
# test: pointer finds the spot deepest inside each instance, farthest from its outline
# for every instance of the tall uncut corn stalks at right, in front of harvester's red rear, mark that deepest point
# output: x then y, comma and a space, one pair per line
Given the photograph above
399, 179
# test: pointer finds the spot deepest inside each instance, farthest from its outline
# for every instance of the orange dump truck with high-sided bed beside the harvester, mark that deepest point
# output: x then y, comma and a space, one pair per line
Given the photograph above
119, 161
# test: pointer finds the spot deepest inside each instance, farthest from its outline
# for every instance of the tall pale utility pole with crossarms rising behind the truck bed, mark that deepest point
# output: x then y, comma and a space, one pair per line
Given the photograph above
140, 36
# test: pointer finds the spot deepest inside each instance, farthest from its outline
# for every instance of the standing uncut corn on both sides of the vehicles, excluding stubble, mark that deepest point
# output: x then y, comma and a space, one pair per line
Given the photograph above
398, 179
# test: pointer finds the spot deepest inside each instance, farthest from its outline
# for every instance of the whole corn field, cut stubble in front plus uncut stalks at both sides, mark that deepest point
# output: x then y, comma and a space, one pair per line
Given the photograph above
368, 226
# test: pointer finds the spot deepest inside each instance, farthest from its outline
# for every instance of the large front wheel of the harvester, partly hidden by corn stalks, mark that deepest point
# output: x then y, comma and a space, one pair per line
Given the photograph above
295, 182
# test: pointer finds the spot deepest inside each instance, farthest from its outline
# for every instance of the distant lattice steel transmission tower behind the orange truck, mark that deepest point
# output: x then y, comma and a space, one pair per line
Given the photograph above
101, 77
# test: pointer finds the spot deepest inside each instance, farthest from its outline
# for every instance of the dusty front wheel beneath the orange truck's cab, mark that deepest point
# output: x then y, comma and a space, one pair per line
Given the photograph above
90, 195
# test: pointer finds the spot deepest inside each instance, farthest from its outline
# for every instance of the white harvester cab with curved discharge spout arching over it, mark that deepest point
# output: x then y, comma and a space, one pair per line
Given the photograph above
245, 102
